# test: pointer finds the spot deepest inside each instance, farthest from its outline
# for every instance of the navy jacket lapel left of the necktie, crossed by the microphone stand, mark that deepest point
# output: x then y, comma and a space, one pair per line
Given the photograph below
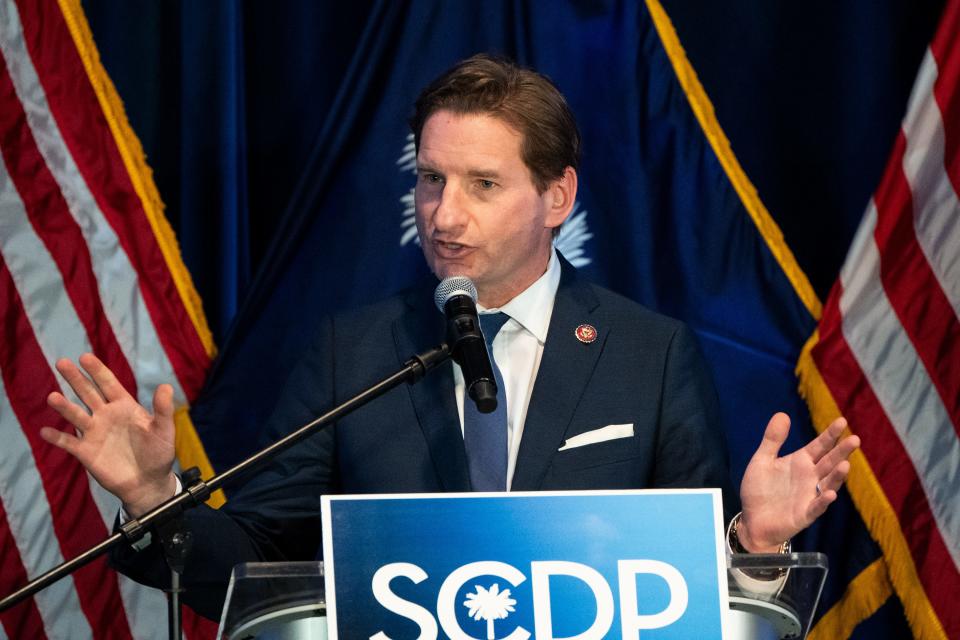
433, 397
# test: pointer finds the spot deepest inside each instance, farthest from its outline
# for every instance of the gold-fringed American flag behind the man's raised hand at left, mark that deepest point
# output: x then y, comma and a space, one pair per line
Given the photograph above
87, 263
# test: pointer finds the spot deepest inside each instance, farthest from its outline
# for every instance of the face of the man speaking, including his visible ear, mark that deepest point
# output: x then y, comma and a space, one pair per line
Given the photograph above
478, 212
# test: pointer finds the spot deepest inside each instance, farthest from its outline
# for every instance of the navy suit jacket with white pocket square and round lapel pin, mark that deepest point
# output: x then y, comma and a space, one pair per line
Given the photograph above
643, 369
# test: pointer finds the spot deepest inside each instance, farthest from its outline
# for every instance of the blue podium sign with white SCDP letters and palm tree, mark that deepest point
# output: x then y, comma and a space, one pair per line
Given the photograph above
580, 565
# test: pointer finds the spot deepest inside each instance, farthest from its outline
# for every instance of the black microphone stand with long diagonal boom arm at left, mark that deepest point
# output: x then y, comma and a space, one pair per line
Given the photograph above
166, 519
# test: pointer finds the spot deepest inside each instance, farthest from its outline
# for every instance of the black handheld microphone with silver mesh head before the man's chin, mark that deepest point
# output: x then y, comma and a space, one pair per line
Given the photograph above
456, 297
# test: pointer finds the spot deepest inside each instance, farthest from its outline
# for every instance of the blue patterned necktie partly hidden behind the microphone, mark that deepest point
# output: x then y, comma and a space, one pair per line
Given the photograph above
485, 434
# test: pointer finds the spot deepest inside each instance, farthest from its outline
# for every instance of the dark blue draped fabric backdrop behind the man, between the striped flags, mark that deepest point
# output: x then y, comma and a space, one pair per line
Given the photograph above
277, 134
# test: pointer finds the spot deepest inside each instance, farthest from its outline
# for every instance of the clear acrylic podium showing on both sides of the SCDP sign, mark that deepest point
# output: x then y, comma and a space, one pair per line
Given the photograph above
286, 601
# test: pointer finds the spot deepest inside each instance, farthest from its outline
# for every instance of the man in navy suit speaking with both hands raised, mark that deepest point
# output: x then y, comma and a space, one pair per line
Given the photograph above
599, 392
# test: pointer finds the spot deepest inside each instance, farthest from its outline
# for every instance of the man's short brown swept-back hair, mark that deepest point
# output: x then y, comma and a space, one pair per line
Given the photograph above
524, 99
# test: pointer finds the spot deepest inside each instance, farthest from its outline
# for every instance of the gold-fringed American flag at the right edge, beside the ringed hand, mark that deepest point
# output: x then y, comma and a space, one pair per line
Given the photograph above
887, 352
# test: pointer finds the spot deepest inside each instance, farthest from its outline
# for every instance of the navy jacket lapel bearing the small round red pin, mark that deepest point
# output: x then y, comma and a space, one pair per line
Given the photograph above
565, 370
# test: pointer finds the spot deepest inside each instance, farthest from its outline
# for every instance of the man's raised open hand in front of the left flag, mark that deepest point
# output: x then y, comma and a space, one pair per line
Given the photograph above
128, 450
